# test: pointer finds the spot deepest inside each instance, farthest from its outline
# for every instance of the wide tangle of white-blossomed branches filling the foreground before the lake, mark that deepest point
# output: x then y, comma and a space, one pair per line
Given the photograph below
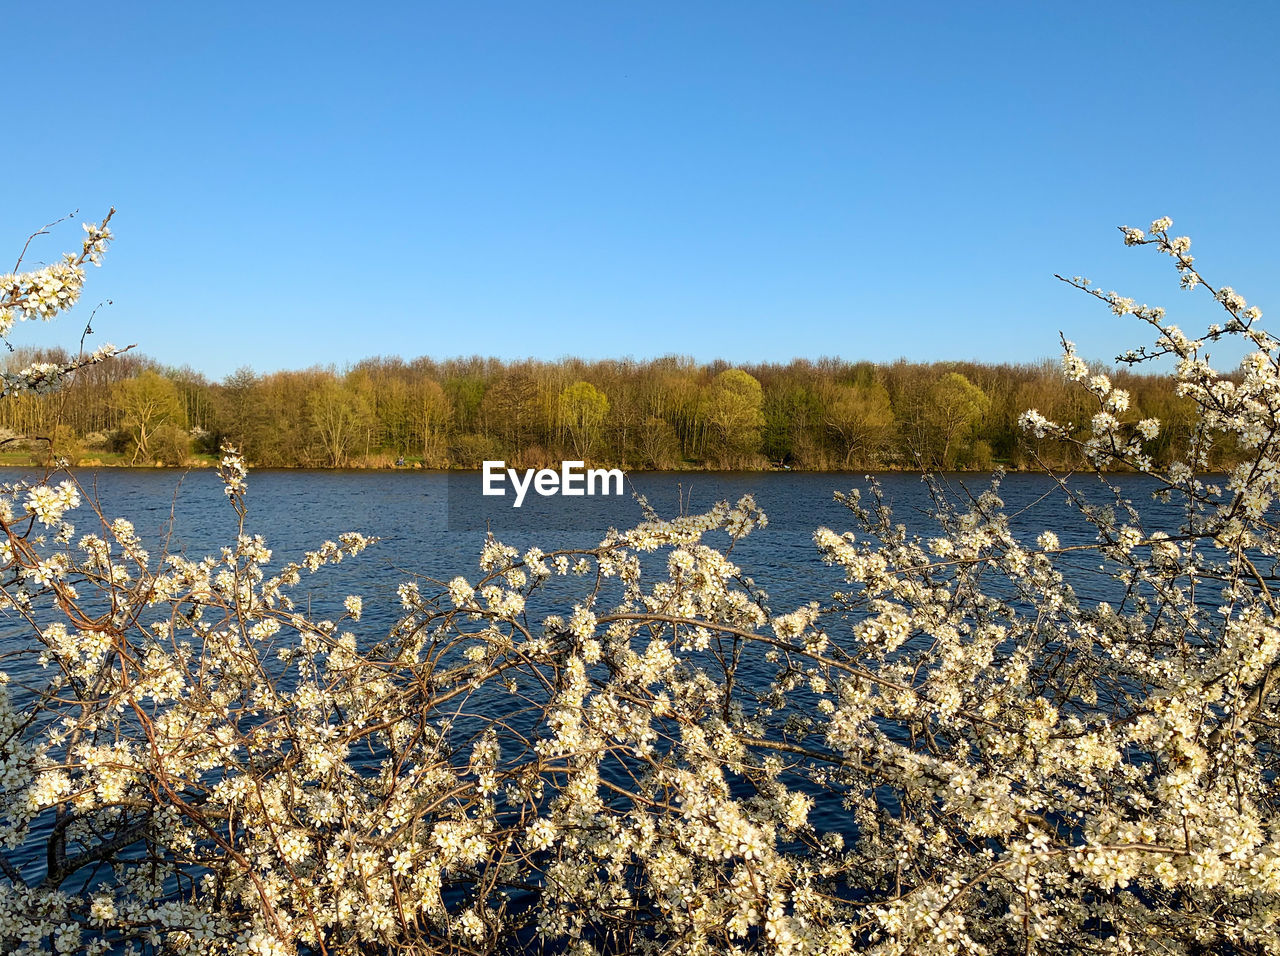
212, 770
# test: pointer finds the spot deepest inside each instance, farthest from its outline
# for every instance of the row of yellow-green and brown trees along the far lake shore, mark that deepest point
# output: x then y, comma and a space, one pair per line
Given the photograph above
669, 413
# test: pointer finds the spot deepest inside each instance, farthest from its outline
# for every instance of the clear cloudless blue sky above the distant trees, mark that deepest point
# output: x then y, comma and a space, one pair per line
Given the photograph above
314, 184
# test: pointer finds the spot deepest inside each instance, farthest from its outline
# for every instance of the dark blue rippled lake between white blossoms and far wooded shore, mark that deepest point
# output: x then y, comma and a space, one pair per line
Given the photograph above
435, 524
